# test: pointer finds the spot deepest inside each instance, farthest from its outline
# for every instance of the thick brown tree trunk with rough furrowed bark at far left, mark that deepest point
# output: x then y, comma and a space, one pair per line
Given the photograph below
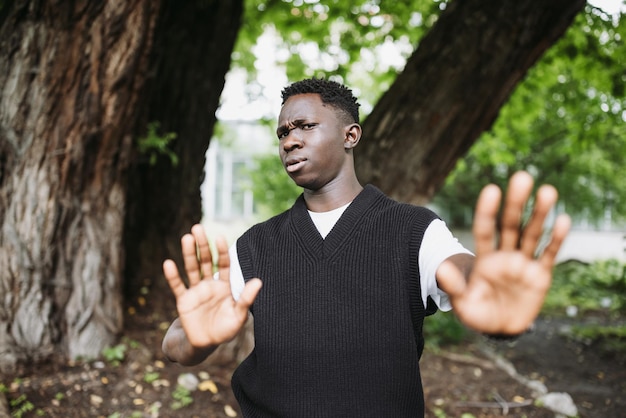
69, 78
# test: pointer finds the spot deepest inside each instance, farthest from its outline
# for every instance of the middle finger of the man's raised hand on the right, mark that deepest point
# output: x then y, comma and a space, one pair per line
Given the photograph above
520, 187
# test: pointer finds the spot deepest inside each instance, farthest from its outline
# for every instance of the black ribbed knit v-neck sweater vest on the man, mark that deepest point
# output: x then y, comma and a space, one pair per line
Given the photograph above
338, 322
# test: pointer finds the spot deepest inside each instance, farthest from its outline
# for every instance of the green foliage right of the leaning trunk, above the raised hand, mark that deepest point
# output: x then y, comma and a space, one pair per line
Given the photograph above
565, 124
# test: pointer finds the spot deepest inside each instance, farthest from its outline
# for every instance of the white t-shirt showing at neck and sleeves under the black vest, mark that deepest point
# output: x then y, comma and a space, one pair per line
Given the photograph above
437, 245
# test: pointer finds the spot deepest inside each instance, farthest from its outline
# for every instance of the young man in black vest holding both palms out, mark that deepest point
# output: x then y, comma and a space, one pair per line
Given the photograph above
348, 276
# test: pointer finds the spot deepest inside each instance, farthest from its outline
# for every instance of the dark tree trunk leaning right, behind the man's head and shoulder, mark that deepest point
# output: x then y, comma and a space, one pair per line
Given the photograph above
452, 89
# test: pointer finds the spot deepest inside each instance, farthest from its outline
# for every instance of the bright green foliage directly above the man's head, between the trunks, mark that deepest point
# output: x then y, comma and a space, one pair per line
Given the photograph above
335, 39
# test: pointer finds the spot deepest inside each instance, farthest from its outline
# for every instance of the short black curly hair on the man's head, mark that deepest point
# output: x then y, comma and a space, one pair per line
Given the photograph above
331, 92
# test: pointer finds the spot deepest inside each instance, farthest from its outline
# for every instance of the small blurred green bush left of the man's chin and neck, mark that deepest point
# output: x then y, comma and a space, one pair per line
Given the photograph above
273, 190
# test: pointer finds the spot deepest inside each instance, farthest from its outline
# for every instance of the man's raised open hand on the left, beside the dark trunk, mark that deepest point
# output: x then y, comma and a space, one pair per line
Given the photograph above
207, 311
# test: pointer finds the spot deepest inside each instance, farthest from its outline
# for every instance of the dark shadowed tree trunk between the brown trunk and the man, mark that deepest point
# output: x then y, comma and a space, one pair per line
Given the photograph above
192, 55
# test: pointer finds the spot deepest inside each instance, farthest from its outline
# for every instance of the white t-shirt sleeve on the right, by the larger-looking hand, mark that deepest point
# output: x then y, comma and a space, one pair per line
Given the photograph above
437, 245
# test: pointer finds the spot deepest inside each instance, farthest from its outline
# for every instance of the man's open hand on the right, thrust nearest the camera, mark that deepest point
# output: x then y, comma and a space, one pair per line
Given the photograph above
504, 289
